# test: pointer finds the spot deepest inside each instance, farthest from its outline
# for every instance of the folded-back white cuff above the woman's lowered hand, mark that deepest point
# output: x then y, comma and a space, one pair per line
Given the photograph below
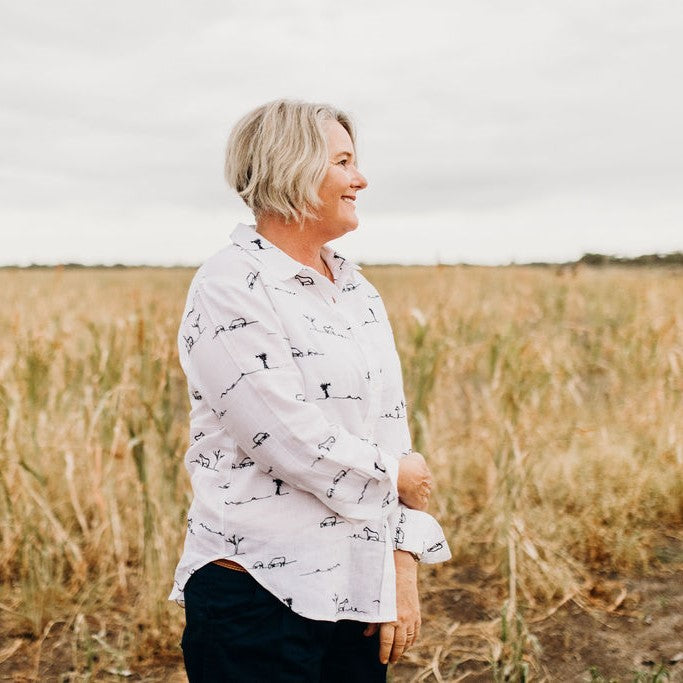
418, 532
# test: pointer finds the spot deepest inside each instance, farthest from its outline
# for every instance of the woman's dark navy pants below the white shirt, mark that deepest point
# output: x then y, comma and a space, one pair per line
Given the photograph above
237, 631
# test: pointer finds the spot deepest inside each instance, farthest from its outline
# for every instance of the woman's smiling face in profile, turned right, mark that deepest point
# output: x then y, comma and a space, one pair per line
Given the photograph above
337, 192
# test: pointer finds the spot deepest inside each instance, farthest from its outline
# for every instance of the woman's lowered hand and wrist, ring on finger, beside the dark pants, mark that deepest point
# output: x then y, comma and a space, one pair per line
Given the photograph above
397, 636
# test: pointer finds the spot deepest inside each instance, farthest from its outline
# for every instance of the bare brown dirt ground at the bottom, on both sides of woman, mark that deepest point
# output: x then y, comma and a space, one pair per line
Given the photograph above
623, 629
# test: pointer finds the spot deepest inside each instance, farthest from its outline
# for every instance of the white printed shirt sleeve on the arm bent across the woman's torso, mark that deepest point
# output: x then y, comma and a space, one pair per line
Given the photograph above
246, 373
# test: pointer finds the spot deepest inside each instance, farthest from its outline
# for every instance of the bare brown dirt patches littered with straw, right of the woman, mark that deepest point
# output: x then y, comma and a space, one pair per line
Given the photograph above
623, 629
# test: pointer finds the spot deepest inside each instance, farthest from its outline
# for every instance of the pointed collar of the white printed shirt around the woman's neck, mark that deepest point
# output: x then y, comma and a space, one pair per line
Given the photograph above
284, 266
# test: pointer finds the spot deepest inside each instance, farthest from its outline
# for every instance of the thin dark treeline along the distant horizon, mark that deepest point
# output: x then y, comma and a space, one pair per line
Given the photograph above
673, 259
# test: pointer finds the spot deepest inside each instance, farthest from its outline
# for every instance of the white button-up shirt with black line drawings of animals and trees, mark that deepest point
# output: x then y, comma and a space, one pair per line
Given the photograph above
297, 425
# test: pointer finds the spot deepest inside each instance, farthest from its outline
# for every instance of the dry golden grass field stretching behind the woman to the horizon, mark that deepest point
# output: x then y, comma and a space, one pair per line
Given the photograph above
548, 402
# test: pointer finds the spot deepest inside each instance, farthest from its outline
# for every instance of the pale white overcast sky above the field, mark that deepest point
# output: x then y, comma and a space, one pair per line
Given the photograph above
490, 130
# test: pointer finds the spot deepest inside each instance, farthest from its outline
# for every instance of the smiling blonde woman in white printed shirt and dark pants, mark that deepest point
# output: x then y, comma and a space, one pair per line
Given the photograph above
308, 511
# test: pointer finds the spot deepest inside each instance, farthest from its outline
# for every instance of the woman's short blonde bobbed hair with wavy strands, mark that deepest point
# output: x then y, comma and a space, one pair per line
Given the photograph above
277, 156
